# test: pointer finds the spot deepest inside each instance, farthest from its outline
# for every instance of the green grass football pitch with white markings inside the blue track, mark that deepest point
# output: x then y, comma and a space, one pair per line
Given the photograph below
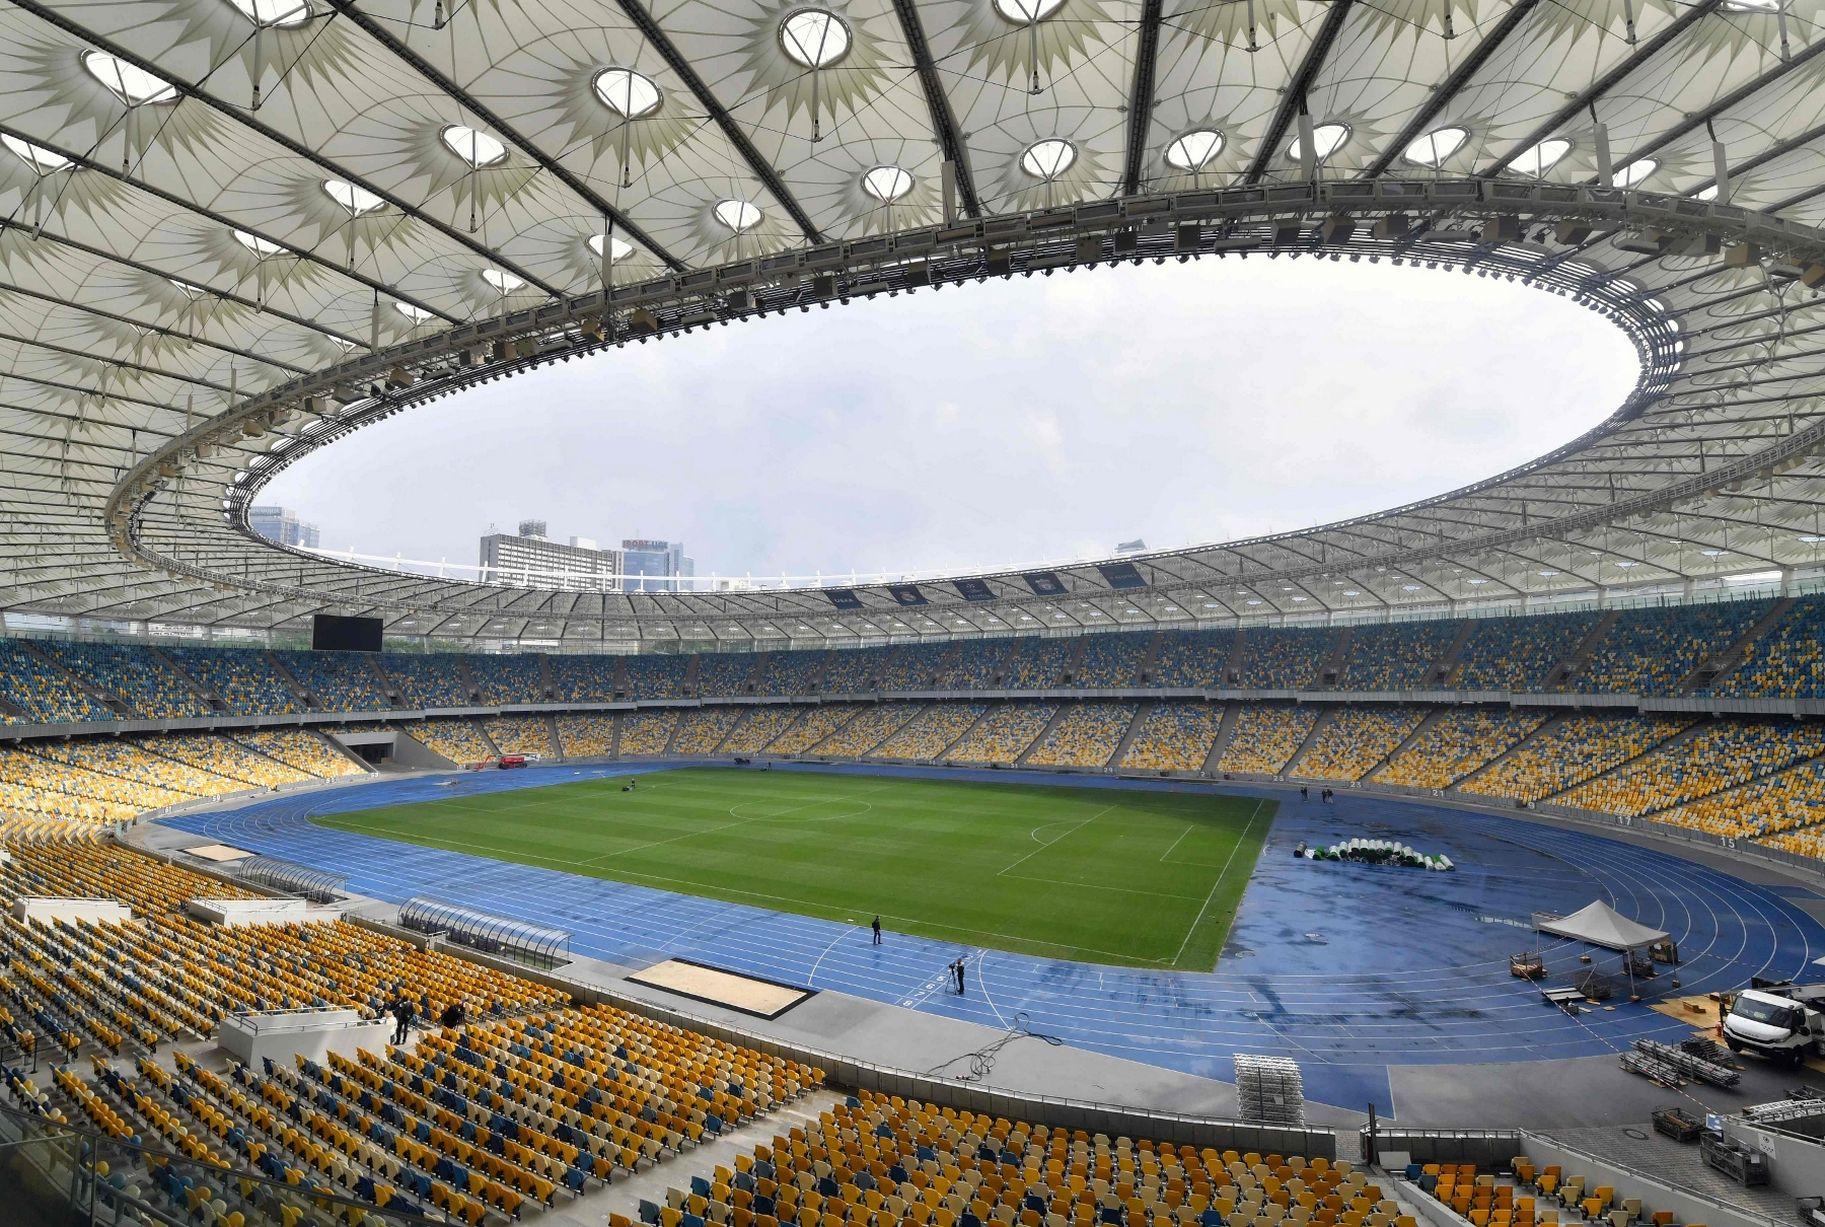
1098, 876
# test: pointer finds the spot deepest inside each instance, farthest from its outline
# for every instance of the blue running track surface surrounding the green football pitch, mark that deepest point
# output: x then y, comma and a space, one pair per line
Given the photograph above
1346, 969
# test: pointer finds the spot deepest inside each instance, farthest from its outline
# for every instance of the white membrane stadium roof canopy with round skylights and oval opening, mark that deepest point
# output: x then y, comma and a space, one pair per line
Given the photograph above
242, 229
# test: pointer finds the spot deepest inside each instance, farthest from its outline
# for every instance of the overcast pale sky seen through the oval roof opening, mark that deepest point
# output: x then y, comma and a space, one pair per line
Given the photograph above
1005, 423
